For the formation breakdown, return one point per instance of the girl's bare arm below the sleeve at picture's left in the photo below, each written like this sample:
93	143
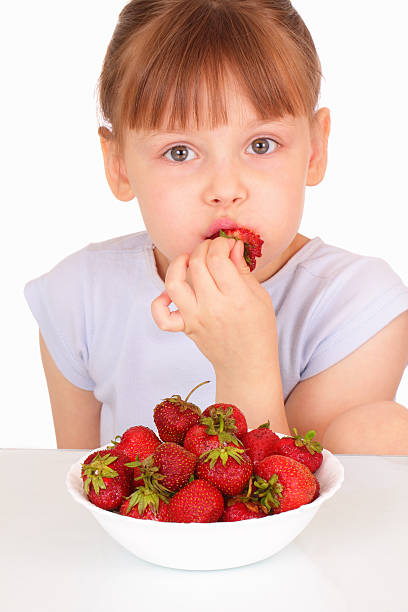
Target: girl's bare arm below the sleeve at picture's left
75	411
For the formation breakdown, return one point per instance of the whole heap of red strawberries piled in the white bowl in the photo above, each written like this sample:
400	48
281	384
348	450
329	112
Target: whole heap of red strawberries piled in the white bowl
205	468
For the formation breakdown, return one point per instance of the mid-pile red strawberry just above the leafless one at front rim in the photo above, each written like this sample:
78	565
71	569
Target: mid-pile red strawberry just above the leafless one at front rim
175	463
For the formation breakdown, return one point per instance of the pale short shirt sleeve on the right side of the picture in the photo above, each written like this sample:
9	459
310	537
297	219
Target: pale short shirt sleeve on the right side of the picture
358	302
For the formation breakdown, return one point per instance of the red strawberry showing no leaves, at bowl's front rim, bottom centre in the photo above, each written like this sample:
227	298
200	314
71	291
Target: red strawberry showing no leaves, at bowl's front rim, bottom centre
198	502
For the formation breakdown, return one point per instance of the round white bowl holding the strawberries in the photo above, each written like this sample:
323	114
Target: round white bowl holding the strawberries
209	546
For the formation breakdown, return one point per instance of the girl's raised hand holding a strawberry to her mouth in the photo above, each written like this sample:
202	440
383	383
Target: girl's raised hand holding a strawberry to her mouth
225	311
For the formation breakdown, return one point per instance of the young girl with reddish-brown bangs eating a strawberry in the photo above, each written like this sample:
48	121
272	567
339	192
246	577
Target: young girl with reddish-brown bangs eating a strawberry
210	120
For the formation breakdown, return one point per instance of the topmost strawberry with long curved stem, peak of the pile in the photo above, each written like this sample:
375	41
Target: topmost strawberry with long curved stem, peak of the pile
174	417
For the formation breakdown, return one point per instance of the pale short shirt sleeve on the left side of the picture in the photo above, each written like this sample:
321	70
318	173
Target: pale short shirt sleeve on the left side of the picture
58	302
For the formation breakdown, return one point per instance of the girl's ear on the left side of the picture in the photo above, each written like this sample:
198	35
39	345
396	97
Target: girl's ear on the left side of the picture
115	169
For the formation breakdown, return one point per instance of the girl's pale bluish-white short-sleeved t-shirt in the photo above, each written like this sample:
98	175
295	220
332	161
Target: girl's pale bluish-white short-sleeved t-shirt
93	310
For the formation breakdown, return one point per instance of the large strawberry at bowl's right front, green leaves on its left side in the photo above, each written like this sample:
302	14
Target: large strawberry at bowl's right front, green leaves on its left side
282	483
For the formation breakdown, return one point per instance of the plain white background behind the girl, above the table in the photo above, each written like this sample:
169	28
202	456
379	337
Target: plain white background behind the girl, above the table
55	198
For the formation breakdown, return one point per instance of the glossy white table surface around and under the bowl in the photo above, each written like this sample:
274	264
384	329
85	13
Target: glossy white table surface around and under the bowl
56	557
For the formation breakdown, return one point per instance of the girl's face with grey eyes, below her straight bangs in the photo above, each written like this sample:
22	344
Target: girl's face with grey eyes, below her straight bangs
252	174
